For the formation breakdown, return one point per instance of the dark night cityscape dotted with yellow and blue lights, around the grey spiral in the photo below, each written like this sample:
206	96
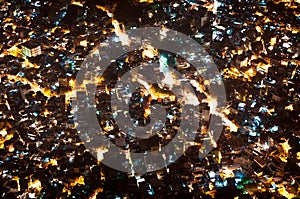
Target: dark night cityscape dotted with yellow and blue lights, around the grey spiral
255	46
